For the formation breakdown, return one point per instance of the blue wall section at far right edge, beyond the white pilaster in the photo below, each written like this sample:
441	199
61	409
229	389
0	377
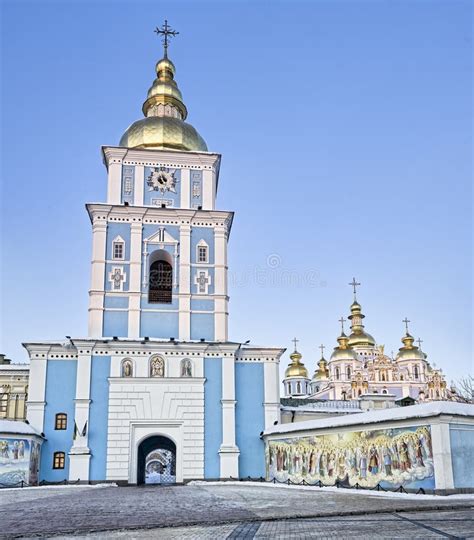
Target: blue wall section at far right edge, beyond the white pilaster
462	455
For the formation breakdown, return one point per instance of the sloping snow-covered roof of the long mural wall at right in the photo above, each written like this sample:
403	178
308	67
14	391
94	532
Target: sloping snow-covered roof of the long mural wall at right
424	410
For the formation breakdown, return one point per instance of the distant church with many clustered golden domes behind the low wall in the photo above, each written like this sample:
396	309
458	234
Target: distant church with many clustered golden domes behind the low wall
359	367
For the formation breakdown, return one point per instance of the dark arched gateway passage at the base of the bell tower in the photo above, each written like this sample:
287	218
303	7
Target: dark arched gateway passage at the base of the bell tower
156	461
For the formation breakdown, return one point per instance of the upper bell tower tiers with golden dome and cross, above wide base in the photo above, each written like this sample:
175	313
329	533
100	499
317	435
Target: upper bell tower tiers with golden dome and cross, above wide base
159	255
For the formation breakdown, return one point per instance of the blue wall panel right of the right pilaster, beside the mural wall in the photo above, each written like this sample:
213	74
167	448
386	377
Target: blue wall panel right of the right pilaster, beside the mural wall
250	418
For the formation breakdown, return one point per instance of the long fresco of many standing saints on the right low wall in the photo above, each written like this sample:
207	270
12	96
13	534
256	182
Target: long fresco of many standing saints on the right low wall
391	457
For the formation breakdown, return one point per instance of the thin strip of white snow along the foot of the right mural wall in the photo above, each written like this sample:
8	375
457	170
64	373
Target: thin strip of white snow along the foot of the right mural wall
364	492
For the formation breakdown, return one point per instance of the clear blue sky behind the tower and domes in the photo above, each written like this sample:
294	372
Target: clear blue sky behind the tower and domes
345	130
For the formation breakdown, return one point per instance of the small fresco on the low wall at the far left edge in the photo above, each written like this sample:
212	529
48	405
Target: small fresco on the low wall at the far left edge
19	461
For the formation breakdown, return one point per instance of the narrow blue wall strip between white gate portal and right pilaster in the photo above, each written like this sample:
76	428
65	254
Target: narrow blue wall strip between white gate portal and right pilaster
212	416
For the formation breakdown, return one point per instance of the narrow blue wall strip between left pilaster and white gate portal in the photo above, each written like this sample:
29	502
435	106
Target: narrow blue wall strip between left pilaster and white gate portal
98	416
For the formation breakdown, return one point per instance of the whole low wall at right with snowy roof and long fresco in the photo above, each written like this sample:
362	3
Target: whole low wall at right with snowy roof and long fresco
428	446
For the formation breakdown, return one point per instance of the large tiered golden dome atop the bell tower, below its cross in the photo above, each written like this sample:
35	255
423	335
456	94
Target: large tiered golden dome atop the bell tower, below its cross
165	112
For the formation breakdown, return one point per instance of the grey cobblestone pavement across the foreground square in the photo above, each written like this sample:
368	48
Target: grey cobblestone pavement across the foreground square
221	512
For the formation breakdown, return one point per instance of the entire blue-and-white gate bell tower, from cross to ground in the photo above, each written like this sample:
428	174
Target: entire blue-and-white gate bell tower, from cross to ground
156	392
